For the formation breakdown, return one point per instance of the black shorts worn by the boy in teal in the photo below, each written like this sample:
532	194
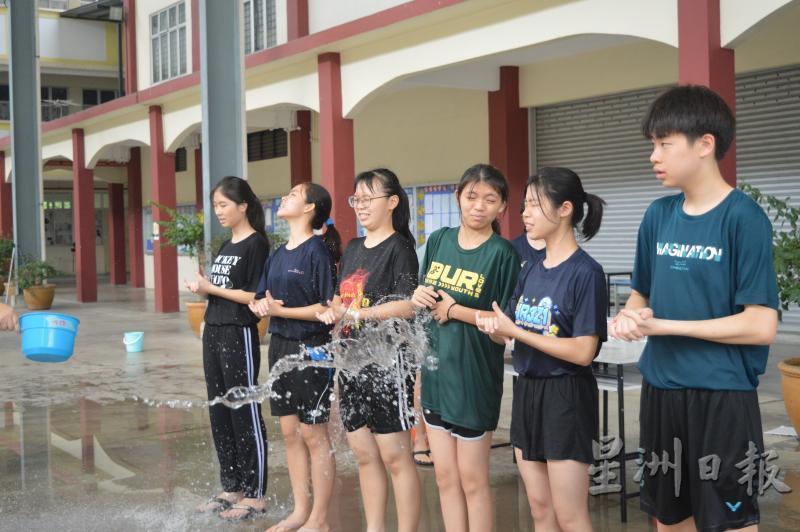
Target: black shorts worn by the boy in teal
718	435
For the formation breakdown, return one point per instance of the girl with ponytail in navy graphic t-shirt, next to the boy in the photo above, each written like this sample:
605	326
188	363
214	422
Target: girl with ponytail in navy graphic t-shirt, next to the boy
557	319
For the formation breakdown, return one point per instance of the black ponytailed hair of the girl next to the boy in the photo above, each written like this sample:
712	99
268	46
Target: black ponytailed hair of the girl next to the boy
560	185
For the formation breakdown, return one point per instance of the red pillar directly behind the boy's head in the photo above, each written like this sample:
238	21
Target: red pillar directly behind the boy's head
703	61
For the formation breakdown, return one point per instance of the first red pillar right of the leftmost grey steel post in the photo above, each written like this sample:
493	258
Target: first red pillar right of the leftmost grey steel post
83	225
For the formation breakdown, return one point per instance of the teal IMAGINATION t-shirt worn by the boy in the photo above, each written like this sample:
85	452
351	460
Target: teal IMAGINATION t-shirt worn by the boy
700	268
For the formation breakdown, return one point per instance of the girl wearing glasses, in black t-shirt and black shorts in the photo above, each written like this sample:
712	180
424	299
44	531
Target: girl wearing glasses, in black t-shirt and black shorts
376	405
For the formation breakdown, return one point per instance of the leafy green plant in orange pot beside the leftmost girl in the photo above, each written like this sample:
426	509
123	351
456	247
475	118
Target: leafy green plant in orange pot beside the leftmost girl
185	232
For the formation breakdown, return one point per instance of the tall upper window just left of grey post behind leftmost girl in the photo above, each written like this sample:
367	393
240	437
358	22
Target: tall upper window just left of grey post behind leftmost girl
168	42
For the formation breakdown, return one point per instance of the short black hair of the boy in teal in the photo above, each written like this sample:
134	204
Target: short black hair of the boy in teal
693	110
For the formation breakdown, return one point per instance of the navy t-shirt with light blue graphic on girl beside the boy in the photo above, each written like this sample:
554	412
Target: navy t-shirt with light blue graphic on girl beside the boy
566	301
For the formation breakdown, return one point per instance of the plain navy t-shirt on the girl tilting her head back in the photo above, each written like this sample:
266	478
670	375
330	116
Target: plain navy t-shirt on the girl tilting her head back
300	277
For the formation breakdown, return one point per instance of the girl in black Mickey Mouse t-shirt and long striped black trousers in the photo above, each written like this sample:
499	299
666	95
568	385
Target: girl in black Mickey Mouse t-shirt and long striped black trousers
231	354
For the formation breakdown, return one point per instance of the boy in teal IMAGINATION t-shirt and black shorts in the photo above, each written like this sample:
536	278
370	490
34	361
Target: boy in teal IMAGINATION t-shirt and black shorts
705	296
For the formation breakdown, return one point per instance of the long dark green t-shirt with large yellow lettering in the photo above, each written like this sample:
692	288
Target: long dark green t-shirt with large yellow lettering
467	386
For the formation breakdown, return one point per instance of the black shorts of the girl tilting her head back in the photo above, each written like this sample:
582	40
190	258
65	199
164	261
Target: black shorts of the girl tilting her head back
305	393
